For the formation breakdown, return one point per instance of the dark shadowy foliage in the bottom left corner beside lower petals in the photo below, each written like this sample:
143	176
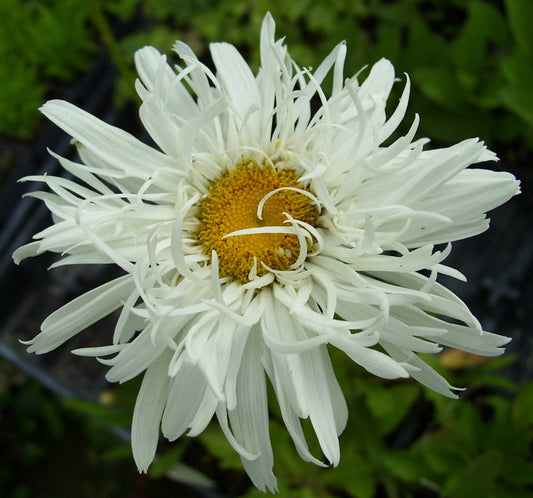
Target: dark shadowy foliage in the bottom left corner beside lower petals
51	446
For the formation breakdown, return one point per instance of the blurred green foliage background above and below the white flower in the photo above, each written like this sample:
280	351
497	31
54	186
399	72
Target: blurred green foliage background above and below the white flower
471	66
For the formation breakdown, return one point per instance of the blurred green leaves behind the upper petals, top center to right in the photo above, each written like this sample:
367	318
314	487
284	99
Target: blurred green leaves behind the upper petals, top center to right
469	62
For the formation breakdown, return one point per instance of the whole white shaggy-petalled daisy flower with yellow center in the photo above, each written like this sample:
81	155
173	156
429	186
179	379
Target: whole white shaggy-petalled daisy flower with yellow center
258	234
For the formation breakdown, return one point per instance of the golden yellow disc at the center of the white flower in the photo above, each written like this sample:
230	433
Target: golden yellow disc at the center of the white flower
232	204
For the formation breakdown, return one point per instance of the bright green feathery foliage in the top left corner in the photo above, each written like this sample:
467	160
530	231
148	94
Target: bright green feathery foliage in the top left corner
40	42
